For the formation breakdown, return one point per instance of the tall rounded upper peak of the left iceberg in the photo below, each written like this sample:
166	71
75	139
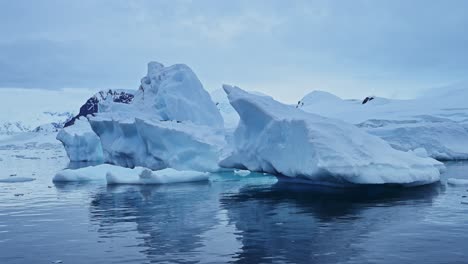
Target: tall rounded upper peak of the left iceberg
175	93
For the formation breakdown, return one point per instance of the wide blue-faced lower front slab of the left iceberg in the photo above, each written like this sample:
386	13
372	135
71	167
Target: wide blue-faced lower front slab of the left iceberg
156	144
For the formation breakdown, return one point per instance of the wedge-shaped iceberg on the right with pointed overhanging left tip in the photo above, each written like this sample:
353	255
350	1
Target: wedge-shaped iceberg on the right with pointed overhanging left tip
283	140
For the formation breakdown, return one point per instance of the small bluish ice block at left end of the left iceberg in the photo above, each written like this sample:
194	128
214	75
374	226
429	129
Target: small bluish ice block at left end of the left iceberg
80	142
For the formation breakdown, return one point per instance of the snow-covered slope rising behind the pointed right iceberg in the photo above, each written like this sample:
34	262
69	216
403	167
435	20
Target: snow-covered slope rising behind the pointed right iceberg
437	122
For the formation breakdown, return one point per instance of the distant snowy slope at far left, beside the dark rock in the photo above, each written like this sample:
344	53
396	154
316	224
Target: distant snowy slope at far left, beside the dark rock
26	110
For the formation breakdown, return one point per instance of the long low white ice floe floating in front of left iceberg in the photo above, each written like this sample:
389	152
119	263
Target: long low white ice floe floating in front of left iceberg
120	175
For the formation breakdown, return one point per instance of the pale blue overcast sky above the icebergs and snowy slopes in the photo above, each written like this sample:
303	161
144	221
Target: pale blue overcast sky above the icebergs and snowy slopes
389	48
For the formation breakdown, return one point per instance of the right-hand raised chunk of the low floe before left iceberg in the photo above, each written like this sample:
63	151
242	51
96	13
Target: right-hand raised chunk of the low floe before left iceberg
147	176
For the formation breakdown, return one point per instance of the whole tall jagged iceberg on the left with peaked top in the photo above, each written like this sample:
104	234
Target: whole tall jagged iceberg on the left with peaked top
170	121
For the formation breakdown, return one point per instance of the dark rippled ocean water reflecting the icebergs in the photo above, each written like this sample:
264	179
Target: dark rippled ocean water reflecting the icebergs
250	219
